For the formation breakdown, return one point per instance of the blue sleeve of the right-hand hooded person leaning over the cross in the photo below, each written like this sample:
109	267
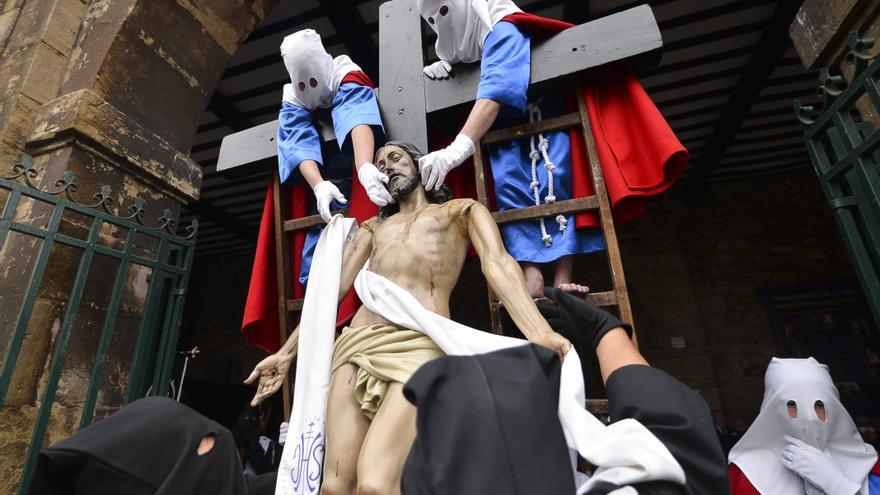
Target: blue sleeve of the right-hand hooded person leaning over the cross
505	67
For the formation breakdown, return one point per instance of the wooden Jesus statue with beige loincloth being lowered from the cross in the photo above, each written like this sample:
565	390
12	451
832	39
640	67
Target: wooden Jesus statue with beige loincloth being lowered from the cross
420	243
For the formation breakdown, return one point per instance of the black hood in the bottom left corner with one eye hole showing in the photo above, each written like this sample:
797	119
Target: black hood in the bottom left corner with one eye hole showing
148	447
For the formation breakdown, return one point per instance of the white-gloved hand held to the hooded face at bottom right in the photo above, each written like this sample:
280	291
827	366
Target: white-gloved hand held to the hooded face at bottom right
817	467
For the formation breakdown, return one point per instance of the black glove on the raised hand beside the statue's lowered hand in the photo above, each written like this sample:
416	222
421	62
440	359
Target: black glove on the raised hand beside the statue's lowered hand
578	320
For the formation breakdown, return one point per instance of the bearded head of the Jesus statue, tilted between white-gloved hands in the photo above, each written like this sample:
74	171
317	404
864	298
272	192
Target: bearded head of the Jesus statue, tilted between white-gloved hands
400	162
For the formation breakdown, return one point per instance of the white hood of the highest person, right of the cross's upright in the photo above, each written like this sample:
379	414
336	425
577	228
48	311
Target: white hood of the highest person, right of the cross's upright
465	25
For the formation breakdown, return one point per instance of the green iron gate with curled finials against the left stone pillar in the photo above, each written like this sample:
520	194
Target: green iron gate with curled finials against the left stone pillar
157	253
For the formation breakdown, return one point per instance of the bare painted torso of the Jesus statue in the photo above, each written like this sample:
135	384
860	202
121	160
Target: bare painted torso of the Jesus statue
422	252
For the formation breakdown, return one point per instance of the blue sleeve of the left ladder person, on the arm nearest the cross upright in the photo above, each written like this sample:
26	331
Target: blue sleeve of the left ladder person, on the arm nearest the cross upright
355	105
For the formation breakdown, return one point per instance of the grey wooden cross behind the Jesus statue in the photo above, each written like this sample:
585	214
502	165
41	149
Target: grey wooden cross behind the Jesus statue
406	96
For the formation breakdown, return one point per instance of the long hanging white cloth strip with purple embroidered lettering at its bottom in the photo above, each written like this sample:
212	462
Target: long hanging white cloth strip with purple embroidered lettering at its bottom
303	457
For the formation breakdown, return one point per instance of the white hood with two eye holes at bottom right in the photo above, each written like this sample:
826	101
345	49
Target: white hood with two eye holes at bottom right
758	452
